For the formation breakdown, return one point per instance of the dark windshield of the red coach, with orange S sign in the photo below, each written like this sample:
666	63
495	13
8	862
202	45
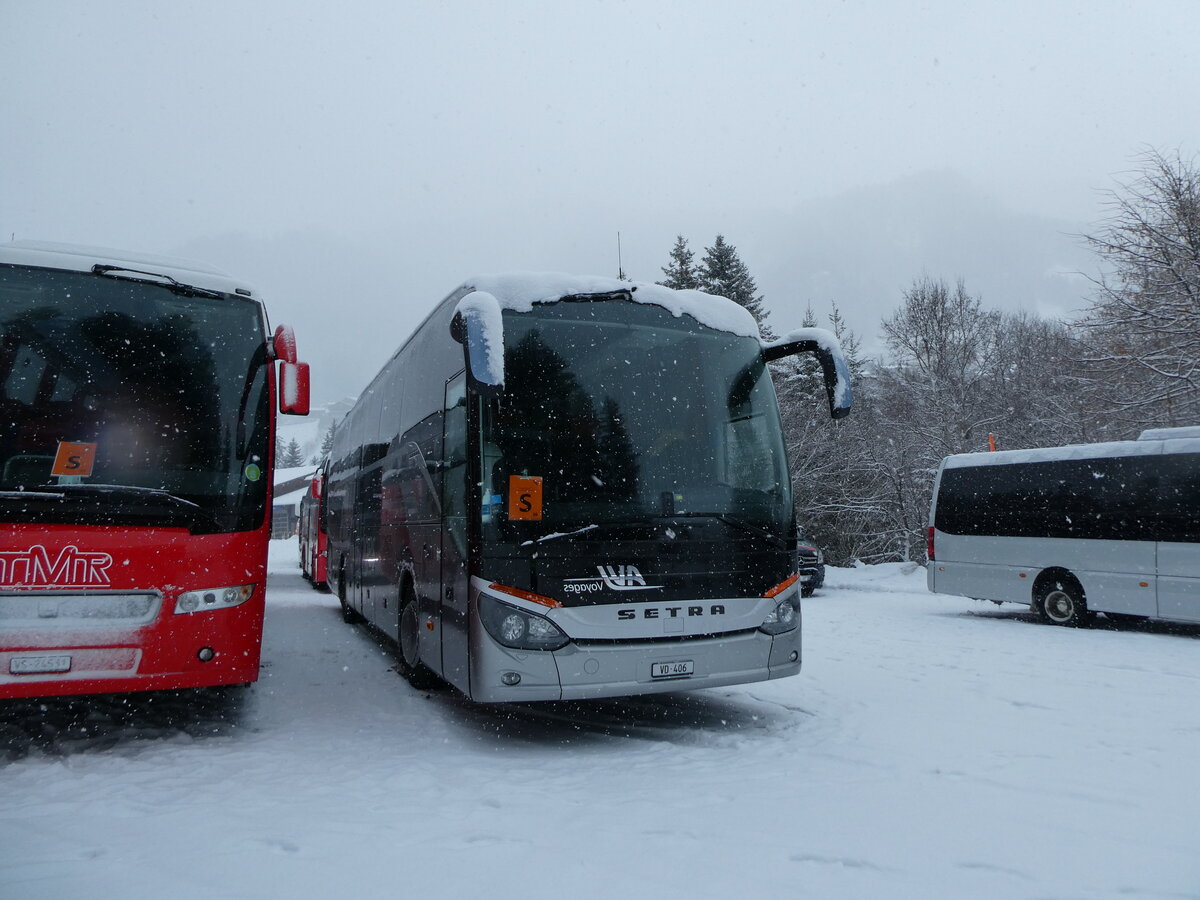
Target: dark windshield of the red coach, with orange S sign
158	394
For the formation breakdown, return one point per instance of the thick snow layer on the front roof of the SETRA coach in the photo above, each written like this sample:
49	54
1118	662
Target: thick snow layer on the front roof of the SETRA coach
520	291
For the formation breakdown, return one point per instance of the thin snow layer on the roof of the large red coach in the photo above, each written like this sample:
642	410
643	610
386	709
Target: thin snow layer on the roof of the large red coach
81	259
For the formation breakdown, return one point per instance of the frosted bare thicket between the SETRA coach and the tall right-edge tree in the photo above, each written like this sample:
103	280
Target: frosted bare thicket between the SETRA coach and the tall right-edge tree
955	373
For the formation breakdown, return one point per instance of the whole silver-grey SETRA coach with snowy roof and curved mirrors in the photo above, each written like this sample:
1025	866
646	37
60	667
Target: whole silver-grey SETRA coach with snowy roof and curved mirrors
567	488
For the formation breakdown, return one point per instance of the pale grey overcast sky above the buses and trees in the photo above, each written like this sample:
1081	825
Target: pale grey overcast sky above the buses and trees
380	153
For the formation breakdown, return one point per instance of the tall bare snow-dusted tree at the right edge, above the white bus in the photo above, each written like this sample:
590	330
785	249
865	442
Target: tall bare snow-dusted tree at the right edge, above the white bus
1144	325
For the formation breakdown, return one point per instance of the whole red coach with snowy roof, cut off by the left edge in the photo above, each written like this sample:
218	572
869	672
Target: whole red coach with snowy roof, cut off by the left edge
137	422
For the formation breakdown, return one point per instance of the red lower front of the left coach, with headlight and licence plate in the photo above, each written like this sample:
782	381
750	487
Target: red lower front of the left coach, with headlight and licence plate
91	611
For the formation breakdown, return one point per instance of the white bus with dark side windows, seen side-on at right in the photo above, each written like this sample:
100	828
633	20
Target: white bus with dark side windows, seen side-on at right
1112	529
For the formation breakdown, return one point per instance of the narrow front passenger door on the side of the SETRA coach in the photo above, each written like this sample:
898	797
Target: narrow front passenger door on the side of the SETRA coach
455	494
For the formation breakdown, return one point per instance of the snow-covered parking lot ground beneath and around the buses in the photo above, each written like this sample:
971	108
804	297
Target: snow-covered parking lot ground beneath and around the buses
933	747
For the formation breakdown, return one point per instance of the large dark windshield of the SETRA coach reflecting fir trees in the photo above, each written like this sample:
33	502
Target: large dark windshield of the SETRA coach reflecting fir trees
631	415
